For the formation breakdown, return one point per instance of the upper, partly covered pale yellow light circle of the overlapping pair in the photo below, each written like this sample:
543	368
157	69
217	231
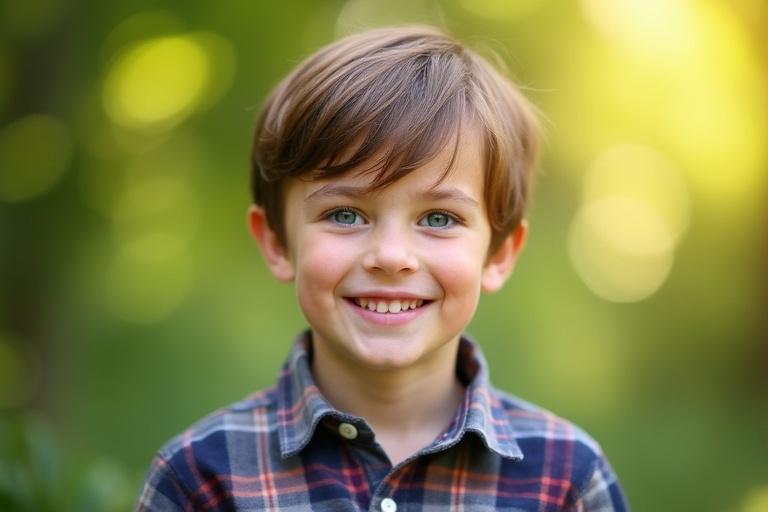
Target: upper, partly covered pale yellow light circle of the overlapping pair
645	175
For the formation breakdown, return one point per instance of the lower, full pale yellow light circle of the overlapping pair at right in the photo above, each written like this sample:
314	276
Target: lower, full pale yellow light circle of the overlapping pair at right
621	248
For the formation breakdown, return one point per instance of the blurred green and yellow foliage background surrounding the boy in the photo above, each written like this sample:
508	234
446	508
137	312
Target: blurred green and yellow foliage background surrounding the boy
132	301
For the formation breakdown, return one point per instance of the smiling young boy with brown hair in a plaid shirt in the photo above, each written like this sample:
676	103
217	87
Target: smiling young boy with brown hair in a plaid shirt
390	177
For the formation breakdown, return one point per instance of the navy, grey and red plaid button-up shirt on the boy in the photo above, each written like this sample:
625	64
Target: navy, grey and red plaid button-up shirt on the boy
288	449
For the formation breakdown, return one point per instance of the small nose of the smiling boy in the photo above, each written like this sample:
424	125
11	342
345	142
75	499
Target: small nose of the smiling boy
391	252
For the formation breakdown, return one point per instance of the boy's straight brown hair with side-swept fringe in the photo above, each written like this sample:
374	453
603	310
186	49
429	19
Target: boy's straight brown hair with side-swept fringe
390	99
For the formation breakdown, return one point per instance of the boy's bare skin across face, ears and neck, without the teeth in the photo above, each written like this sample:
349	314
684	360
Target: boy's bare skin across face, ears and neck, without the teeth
415	239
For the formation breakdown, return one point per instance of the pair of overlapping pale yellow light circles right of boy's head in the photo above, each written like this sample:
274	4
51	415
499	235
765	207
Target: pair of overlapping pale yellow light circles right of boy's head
636	208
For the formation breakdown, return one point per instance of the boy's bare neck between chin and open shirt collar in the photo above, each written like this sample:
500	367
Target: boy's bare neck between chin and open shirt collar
406	407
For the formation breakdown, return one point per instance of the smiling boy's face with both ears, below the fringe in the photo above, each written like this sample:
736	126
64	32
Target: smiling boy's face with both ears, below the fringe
390	279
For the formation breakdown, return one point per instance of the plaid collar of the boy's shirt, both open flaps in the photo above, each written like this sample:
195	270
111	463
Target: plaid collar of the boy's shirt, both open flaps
301	406
